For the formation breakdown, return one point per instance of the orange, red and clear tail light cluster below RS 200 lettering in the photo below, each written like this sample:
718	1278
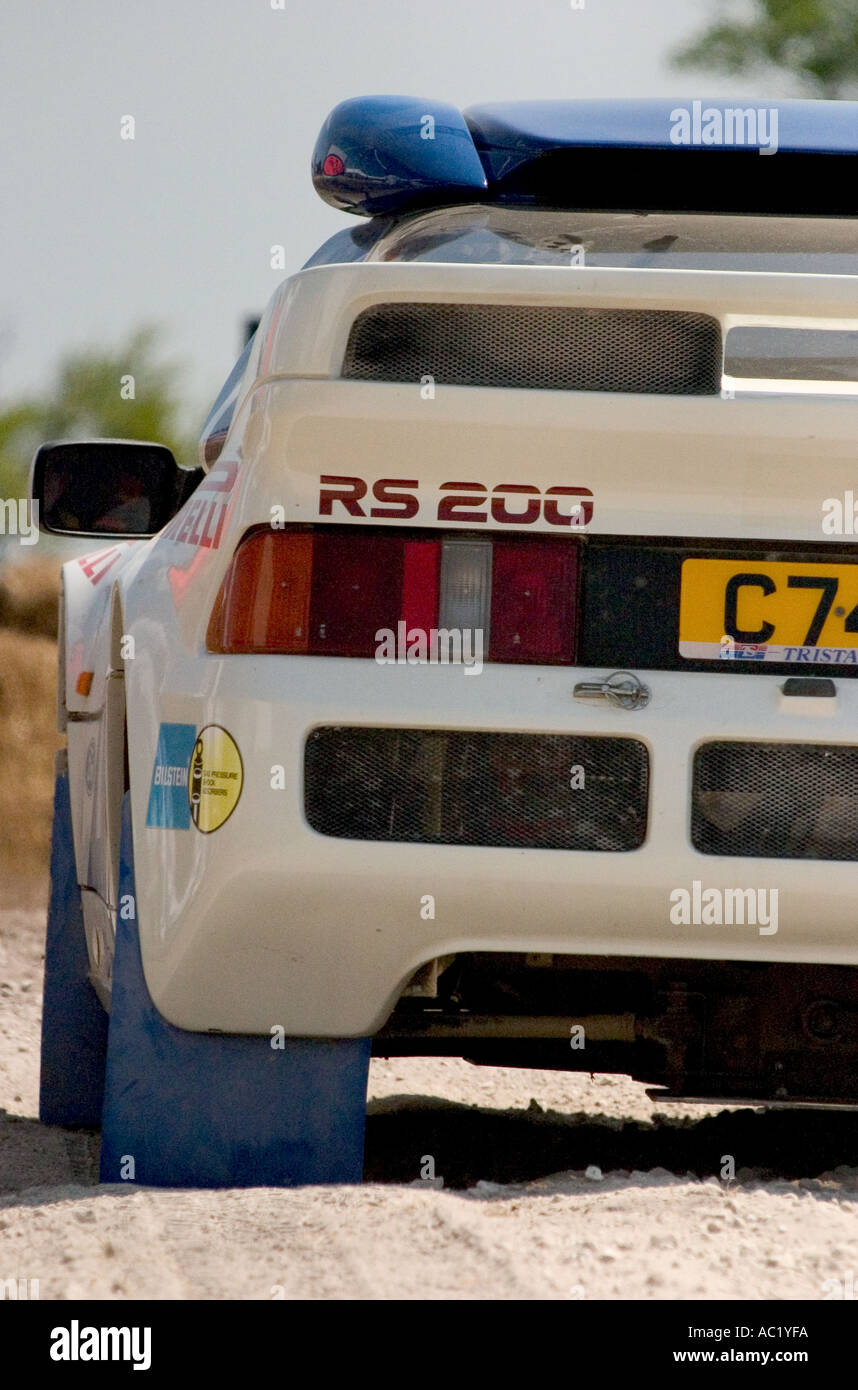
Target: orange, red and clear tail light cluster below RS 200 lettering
333	591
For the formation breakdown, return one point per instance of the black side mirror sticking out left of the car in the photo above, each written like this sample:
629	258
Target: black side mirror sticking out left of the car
109	487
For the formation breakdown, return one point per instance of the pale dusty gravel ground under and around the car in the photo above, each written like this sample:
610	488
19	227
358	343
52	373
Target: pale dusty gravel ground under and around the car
554	1188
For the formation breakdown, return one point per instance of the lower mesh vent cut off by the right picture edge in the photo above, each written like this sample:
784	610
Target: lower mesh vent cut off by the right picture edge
777	801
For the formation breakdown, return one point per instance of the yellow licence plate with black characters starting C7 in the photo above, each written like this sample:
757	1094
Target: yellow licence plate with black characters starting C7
760	611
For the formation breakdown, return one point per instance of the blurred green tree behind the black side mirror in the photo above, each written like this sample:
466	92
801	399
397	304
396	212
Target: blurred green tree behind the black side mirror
92	397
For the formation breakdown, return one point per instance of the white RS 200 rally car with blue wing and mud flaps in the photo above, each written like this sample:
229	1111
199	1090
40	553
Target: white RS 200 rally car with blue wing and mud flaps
490	687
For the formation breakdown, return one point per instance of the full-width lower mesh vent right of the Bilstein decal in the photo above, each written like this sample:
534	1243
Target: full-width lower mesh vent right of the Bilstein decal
462	789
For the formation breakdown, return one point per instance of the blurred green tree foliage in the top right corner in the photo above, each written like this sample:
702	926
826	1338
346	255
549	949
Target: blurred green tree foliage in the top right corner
817	41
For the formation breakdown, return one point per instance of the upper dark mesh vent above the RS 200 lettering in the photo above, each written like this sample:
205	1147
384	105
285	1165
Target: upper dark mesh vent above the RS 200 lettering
553	348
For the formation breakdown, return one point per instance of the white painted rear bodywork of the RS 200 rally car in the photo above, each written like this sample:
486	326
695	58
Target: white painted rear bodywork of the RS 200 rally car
265	922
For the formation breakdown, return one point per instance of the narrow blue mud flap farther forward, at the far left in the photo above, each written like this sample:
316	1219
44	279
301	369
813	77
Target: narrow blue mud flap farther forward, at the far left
74	1025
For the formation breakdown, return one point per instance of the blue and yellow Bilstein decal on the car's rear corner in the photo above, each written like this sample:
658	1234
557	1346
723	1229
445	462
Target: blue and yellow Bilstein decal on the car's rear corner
197	779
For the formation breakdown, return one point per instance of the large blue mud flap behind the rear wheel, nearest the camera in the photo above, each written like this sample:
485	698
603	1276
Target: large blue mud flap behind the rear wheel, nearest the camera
201	1110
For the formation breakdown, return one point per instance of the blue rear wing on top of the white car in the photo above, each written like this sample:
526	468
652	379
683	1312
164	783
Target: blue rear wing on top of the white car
391	155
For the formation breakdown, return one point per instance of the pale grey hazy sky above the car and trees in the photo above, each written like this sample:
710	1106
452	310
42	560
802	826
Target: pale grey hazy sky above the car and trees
175	229
